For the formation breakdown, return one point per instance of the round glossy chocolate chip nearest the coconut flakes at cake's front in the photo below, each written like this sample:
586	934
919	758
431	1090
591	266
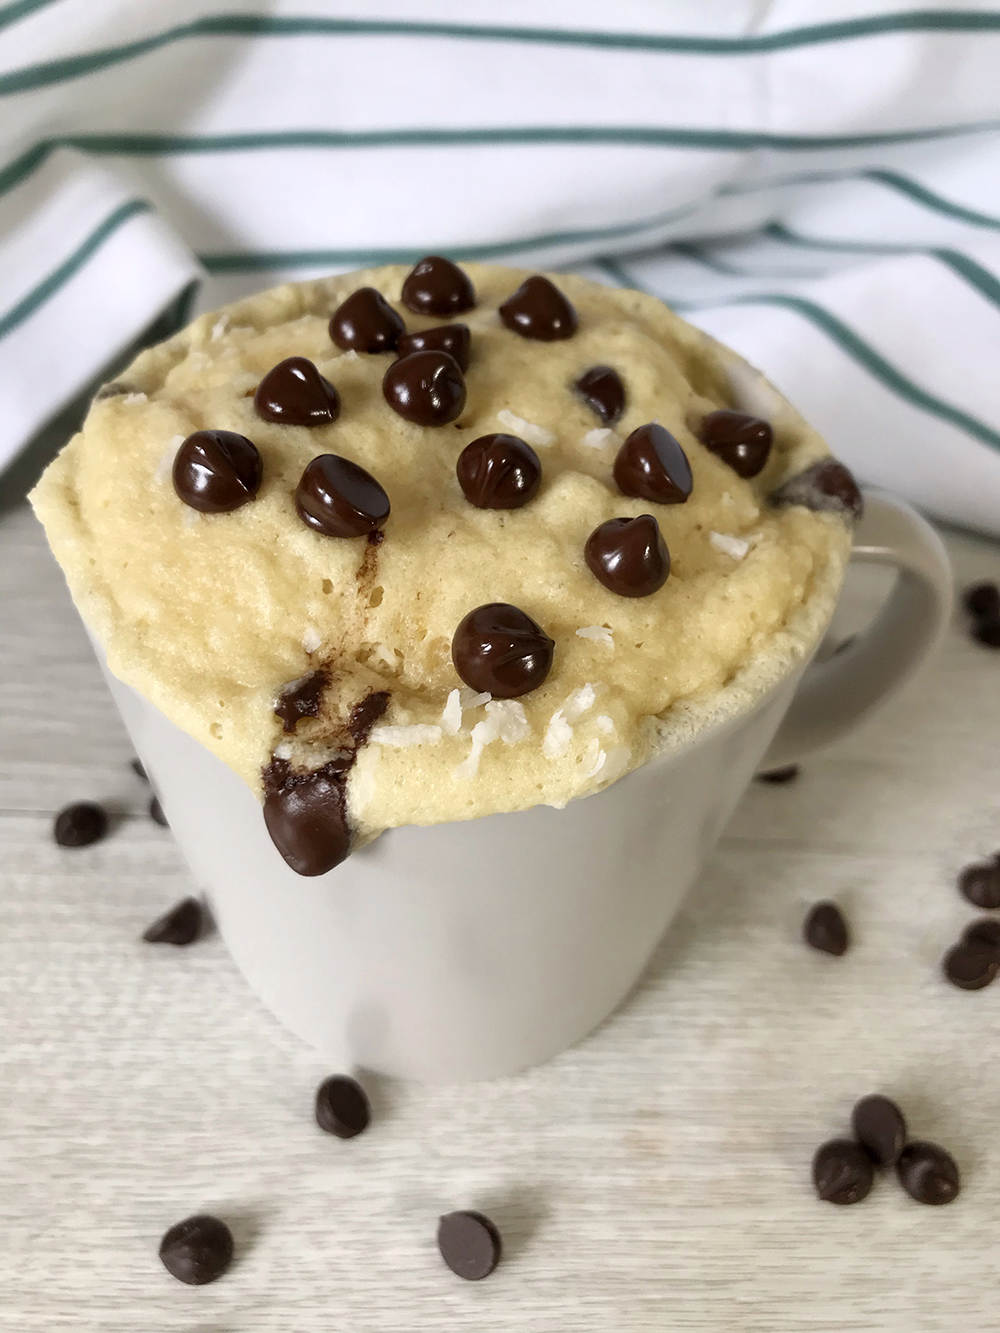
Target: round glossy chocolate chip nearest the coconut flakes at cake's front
502	651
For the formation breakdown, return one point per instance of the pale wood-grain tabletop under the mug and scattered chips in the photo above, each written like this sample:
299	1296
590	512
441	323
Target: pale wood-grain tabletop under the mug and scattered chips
654	1179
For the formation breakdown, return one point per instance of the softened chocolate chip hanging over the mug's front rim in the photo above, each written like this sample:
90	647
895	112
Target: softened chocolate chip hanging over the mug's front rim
306	816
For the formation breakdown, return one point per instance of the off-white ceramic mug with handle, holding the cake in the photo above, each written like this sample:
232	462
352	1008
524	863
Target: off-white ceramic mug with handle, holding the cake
471	950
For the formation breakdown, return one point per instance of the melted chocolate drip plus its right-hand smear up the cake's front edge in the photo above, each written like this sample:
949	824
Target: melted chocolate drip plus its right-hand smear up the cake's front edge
306	812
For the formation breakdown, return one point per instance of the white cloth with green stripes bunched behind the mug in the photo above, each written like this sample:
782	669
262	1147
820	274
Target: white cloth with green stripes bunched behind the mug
814	182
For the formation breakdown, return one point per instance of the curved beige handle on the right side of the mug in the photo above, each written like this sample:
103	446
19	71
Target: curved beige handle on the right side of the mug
841	692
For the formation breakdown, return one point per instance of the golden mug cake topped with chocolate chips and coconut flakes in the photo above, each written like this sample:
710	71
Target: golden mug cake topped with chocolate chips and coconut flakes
305	598
